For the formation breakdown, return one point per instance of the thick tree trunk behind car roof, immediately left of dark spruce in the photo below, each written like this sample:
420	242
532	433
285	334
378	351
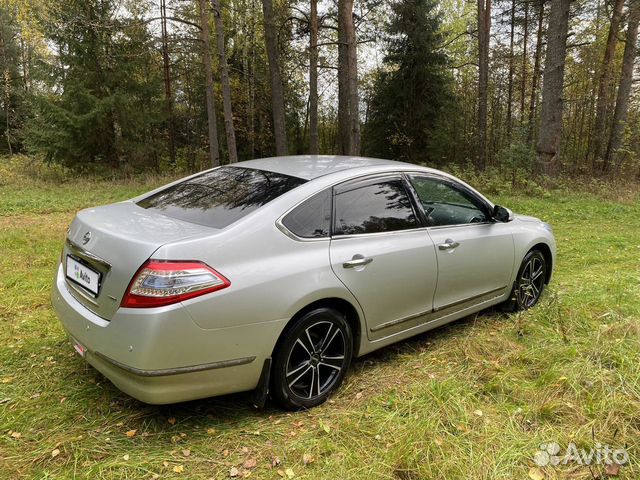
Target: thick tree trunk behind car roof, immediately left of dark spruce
348	97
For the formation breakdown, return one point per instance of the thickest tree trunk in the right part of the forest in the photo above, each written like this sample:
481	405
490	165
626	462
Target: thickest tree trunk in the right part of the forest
550	130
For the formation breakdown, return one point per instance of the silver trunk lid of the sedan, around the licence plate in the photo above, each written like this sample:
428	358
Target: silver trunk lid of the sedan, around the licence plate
114	241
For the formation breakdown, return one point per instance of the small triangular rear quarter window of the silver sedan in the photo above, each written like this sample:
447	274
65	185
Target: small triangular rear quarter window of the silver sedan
311	219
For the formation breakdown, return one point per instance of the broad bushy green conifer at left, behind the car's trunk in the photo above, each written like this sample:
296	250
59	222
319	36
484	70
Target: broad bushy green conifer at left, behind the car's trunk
110	109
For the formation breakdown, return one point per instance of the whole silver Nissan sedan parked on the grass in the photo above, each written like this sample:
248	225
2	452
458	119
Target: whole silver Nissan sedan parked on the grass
271	275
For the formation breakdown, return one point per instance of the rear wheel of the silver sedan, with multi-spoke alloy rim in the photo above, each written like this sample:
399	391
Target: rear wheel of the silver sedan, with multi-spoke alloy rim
311	359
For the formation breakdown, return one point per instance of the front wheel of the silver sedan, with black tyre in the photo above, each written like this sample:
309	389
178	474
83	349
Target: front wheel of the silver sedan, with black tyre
529	283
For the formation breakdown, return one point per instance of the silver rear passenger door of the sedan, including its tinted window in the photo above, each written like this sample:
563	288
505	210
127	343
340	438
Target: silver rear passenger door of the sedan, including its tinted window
382	253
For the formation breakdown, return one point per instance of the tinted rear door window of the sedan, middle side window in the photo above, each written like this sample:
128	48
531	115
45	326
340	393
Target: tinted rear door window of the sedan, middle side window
370	207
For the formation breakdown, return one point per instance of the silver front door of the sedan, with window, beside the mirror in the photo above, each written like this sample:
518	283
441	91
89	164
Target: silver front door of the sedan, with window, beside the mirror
475	254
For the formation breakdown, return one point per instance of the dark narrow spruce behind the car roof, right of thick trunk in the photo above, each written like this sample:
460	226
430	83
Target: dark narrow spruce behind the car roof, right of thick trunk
412	88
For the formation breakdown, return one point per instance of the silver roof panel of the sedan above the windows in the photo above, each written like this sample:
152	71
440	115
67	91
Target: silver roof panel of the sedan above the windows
309	167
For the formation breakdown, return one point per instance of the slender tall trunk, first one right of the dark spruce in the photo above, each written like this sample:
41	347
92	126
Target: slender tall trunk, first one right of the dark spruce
484	29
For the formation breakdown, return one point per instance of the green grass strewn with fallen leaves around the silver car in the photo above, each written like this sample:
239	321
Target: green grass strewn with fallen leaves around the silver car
472	400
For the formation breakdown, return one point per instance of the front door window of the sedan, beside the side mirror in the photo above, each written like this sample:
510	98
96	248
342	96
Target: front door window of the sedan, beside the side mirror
444	204
